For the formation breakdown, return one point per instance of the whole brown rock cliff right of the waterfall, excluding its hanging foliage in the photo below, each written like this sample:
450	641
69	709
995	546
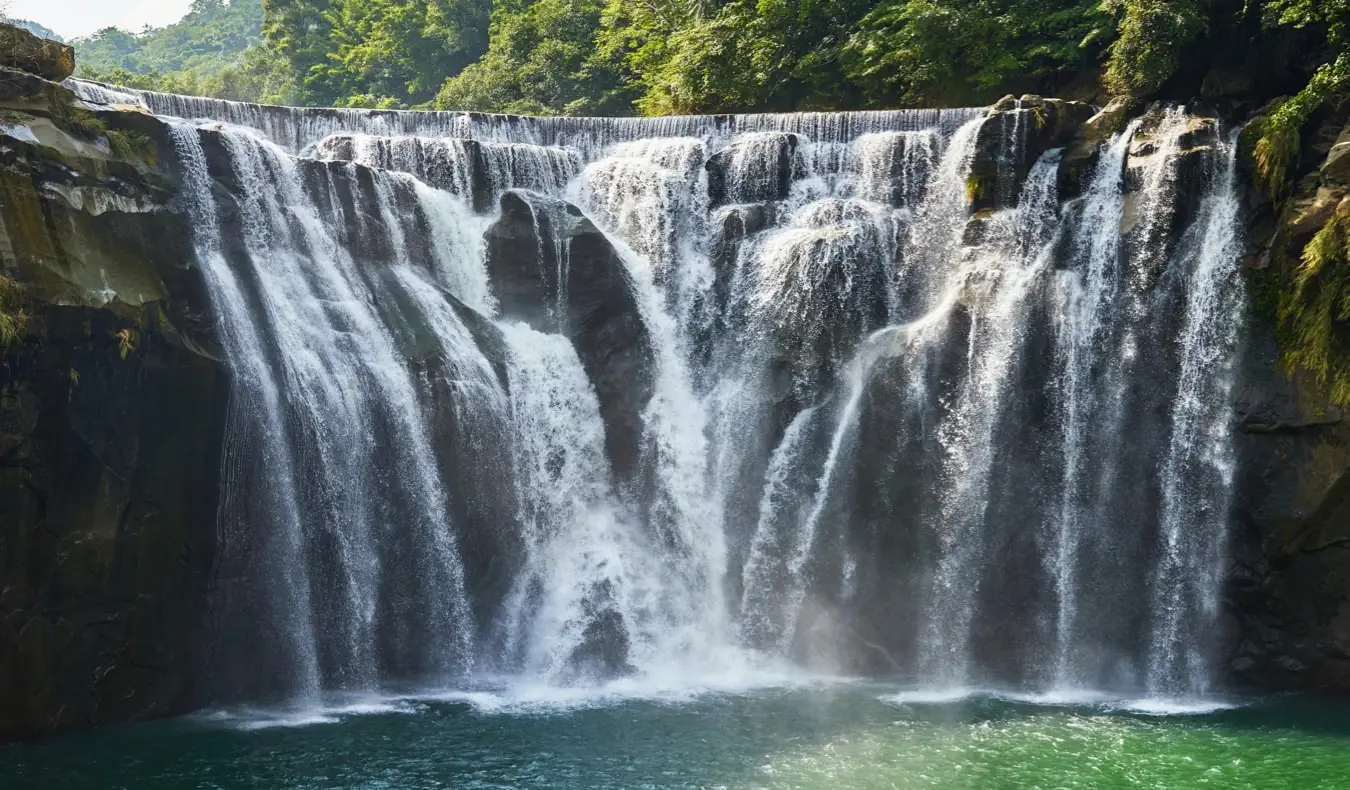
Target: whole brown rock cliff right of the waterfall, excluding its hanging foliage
1290	595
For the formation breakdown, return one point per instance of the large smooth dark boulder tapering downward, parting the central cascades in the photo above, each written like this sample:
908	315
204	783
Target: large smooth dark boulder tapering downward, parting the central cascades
556	271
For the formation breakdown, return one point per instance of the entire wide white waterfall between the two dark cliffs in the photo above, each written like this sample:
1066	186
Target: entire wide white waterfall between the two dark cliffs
870	430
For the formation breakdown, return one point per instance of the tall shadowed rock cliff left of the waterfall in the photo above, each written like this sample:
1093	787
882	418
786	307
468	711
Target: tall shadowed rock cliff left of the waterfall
111	415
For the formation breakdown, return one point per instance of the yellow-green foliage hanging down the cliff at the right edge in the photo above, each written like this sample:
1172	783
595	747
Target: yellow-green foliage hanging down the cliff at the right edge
1316	314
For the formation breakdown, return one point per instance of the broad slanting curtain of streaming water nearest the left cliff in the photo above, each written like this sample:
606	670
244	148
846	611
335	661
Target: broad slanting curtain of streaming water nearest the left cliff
311	350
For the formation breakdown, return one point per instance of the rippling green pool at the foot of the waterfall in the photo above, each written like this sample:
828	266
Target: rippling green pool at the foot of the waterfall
834	737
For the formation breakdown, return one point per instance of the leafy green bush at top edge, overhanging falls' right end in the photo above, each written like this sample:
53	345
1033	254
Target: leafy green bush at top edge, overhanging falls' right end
1152	36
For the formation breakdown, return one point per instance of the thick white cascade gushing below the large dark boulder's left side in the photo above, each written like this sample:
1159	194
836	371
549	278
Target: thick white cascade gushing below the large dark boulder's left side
588	565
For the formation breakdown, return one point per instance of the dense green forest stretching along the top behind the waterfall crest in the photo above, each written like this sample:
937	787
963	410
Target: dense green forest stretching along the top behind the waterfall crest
620	57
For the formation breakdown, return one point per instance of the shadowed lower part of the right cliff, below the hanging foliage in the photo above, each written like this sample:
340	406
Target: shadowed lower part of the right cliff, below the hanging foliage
1287	592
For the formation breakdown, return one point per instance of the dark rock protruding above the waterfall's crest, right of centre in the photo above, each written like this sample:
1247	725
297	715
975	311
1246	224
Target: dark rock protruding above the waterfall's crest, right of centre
1017	133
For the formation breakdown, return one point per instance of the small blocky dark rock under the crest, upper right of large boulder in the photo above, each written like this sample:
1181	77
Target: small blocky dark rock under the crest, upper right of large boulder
754	169
